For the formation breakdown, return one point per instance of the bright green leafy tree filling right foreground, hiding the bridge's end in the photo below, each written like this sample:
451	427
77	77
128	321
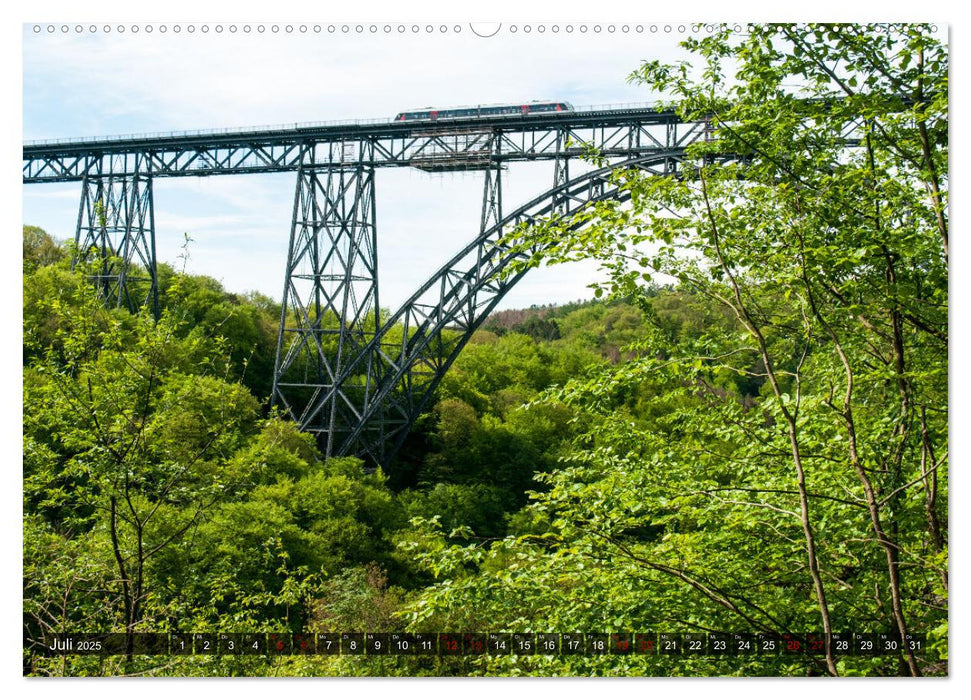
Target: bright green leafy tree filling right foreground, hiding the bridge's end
816	220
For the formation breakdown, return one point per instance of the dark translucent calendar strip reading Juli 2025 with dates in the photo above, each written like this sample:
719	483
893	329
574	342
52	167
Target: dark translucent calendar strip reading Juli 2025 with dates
713	644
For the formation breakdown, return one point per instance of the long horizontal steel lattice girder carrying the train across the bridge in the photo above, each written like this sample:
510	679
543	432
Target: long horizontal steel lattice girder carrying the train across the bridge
434	146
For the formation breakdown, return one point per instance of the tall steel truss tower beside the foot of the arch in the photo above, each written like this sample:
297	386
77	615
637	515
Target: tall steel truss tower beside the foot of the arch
330	299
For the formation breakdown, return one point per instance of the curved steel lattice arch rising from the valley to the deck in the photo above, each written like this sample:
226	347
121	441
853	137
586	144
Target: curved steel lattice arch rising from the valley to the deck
404	362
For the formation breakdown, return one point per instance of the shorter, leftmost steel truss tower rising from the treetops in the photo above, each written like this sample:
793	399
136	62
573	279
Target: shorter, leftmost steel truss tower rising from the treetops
116	227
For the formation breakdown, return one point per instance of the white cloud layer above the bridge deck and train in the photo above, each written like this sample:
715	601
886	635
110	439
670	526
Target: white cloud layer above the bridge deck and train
160	82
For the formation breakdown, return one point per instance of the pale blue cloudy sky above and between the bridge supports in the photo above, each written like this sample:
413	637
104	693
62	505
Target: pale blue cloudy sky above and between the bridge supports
97	83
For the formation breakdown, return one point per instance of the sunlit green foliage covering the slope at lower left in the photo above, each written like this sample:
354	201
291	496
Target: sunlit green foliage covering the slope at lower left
156	498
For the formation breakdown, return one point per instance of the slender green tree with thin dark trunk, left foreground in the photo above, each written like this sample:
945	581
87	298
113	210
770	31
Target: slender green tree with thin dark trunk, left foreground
127	425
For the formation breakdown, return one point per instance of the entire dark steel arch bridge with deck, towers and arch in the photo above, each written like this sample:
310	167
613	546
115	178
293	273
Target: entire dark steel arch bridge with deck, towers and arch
342	371
